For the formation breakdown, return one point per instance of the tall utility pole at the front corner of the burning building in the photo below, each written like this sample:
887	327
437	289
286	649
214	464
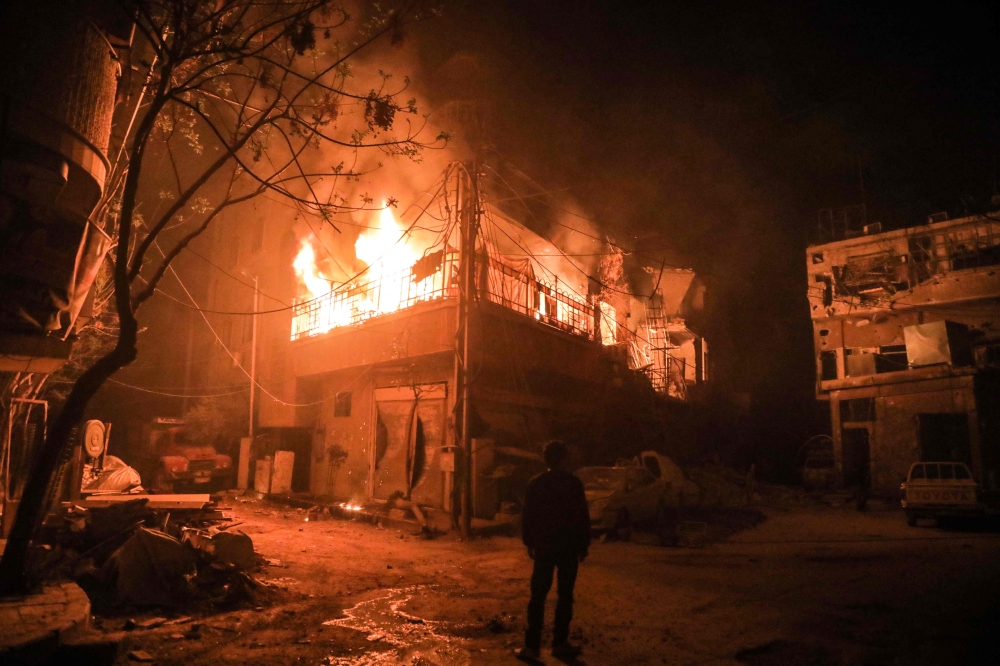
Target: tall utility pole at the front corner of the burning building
469	221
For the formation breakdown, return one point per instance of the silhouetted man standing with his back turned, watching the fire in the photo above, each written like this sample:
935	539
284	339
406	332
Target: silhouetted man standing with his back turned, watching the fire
555	527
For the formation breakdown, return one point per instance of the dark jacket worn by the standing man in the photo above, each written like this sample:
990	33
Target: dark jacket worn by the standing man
555	520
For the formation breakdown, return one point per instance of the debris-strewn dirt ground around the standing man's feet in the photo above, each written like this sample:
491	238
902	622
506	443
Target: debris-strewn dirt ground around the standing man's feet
810	585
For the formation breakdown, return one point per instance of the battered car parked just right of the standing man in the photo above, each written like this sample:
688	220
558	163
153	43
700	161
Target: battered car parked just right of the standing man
622	496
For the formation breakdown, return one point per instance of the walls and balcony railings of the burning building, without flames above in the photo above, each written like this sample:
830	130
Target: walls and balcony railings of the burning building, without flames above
361	381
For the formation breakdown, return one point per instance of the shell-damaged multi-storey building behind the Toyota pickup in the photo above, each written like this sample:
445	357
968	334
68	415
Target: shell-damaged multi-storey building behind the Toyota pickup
906	326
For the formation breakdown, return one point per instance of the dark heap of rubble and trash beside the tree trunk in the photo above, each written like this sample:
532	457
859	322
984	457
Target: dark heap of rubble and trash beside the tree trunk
131	554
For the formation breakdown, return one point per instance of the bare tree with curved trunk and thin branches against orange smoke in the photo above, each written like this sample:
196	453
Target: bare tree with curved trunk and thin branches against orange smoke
242	97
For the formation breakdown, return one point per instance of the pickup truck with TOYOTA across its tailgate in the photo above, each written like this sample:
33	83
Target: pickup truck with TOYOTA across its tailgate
939	490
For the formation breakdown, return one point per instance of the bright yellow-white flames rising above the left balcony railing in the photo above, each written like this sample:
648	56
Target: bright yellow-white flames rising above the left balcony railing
387	284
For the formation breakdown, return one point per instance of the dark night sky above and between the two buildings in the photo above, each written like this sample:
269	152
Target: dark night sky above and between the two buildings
723	129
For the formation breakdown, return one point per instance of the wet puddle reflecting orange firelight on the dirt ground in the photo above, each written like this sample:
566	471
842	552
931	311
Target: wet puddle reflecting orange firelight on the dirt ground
411	640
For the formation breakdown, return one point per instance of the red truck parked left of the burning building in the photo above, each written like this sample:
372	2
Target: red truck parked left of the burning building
182	464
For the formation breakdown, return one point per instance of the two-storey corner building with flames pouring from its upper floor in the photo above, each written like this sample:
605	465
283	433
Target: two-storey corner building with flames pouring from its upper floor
363	362
